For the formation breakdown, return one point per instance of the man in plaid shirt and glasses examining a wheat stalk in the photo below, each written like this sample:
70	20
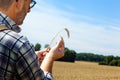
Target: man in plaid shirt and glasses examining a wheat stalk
18	60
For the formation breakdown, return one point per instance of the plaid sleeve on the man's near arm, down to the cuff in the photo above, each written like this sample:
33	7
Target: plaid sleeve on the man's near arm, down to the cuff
28	67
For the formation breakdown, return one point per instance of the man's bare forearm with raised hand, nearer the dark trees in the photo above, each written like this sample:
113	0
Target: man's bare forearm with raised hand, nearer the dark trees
55	53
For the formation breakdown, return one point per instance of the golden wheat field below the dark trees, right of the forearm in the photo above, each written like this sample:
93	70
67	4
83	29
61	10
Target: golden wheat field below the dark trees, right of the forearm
84	71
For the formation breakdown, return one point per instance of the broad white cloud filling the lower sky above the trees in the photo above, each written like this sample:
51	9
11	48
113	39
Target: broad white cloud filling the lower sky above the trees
43	23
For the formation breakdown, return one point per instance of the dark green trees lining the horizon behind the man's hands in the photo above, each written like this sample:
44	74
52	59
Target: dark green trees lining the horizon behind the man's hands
72	56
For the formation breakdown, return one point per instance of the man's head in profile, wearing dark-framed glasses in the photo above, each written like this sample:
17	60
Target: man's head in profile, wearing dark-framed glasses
16	9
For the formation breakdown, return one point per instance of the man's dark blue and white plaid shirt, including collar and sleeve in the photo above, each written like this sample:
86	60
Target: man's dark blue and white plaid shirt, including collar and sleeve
18	60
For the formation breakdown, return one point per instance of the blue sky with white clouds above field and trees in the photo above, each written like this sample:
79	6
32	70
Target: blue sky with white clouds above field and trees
94	25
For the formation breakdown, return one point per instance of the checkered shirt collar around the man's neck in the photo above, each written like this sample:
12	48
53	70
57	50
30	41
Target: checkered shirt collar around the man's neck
9	23
